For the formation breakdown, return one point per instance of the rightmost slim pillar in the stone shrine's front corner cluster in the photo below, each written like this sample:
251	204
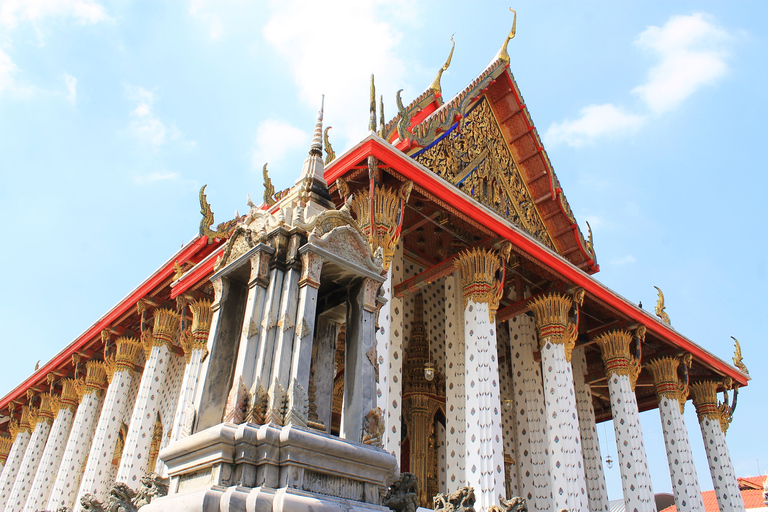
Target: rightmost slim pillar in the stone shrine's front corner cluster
301	357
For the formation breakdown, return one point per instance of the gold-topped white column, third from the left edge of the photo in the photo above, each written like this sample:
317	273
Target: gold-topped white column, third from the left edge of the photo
31	461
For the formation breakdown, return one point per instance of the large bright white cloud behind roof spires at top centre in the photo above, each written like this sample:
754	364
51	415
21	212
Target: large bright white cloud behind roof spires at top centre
317	39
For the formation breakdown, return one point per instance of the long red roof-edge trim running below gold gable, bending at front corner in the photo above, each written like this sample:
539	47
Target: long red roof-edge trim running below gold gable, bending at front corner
412	170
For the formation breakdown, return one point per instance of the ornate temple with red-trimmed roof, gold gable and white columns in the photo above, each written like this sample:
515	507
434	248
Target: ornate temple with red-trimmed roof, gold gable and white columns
414	323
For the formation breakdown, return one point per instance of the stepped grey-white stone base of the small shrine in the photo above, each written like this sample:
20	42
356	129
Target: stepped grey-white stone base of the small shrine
273	468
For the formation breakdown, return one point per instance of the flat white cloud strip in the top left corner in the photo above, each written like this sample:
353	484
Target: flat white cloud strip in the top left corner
84	11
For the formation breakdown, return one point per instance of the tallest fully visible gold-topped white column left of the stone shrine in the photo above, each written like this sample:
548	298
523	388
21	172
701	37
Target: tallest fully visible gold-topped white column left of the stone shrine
134	462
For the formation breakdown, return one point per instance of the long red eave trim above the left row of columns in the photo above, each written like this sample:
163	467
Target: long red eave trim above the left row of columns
192	249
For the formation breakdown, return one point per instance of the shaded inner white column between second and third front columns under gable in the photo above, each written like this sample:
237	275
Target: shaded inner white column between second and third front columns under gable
597	493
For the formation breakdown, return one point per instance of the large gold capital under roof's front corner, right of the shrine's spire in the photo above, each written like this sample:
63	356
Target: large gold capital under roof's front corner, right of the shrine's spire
383	208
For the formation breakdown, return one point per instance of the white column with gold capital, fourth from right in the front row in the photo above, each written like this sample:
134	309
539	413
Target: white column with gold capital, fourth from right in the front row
556	319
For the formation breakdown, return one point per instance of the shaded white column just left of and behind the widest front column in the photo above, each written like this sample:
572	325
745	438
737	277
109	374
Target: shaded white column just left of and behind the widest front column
455	401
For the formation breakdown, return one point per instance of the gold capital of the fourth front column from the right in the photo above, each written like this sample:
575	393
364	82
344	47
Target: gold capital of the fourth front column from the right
556	318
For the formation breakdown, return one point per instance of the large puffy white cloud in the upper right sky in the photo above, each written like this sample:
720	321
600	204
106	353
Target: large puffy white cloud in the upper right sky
691	53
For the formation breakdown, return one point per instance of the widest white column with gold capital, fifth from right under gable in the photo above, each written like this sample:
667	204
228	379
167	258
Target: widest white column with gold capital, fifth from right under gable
484	450
